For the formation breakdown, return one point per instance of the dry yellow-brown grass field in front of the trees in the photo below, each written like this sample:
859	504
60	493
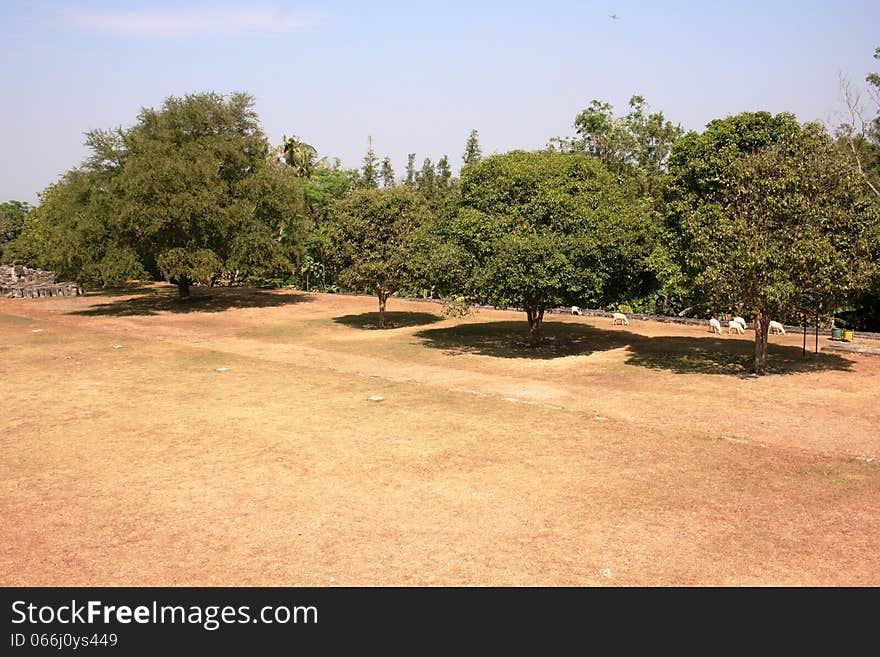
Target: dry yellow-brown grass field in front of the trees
231	440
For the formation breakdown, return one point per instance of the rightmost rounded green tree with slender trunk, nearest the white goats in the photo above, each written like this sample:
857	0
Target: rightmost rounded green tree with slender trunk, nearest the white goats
765	216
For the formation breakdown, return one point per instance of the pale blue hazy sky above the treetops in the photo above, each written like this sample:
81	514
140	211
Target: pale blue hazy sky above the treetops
415	76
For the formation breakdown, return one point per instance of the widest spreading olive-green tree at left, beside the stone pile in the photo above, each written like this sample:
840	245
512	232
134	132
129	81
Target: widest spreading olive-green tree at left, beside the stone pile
188	192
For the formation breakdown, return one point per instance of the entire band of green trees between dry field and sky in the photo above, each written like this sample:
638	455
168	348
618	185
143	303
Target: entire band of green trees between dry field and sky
758	215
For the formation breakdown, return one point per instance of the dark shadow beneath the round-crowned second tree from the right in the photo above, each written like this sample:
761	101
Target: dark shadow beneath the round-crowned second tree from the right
509	340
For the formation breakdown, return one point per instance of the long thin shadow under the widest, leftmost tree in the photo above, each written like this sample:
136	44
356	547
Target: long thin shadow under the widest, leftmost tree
201	300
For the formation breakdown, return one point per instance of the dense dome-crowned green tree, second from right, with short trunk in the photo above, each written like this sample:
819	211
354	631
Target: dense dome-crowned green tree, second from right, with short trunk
547	228
